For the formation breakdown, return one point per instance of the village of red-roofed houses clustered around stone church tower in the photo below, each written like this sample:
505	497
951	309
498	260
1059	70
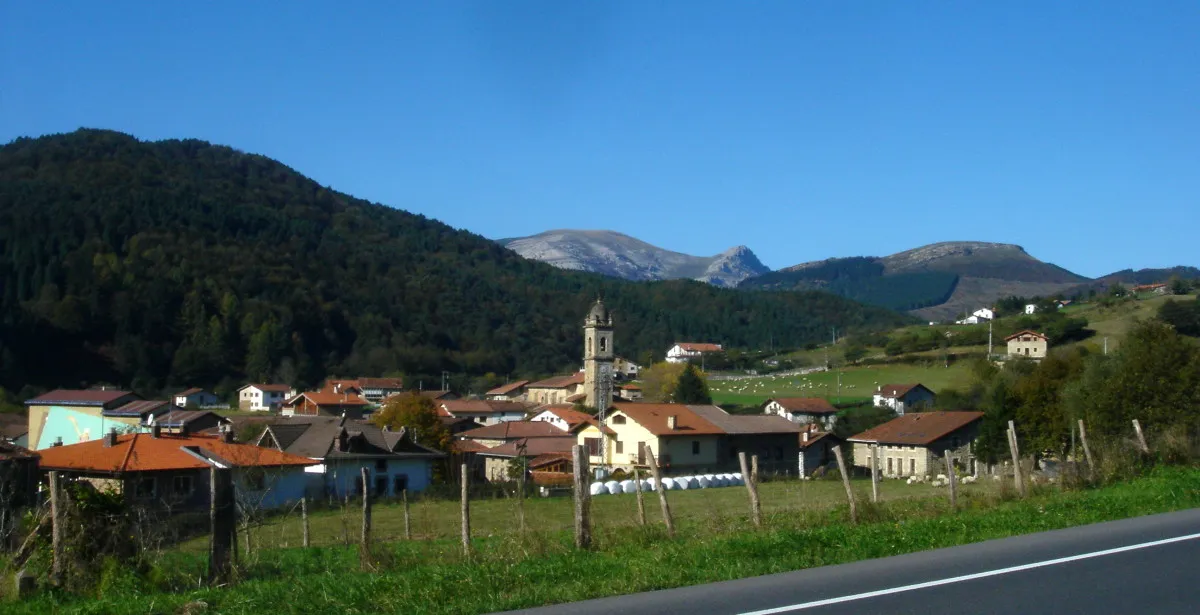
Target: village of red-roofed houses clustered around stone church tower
323	445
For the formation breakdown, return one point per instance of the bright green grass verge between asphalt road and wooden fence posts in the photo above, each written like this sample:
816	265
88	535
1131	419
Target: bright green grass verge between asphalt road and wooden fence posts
542	568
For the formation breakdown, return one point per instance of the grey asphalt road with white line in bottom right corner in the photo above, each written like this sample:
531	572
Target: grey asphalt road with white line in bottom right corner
1144	565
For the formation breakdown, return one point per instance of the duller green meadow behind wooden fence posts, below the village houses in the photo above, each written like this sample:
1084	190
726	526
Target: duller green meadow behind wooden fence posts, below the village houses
435	520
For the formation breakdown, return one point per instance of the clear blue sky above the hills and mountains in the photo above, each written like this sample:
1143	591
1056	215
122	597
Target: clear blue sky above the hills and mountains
801	129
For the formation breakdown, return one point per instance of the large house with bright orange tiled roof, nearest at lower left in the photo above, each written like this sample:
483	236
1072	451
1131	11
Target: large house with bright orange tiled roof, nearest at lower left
171	471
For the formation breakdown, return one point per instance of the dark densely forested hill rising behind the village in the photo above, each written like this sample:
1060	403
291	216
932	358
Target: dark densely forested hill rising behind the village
179	262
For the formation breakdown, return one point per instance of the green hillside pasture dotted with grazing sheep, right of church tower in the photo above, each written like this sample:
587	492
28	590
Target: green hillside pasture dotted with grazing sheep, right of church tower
857	384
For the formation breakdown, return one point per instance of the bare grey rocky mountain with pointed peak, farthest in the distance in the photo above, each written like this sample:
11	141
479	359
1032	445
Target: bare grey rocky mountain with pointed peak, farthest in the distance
619	255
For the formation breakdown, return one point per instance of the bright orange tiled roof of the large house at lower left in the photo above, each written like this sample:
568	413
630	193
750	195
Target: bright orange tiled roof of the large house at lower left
146	453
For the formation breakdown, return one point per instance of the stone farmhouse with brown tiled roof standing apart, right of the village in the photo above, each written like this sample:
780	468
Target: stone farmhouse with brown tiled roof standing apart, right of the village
916	445
